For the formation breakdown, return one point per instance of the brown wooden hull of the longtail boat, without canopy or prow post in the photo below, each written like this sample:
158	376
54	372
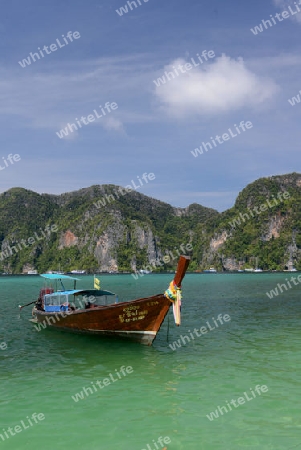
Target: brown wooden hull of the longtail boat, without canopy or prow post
138	320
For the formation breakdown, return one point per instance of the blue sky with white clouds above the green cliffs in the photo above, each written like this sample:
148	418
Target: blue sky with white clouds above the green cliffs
116	59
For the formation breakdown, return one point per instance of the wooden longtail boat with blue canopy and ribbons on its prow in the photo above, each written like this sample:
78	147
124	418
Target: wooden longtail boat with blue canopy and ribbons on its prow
138	320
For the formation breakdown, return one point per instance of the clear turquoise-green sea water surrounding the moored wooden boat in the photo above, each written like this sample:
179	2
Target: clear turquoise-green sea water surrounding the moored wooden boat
169	393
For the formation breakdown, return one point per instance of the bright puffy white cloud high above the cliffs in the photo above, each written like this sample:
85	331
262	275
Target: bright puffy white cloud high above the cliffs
222	86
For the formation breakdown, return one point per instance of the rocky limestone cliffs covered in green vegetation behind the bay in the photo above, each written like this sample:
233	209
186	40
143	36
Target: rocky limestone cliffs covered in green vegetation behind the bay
98	229
